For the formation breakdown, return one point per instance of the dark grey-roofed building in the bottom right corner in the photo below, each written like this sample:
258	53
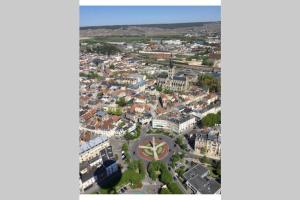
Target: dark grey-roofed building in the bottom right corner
197	180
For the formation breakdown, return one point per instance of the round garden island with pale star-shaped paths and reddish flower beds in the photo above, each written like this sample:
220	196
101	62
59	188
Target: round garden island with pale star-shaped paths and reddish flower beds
153	147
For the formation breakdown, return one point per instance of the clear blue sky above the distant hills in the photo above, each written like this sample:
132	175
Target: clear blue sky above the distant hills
127	15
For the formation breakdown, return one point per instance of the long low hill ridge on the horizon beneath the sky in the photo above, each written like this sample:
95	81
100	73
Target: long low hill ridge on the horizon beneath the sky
150	29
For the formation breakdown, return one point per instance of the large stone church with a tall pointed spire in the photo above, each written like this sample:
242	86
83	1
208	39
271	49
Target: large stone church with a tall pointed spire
173	82
